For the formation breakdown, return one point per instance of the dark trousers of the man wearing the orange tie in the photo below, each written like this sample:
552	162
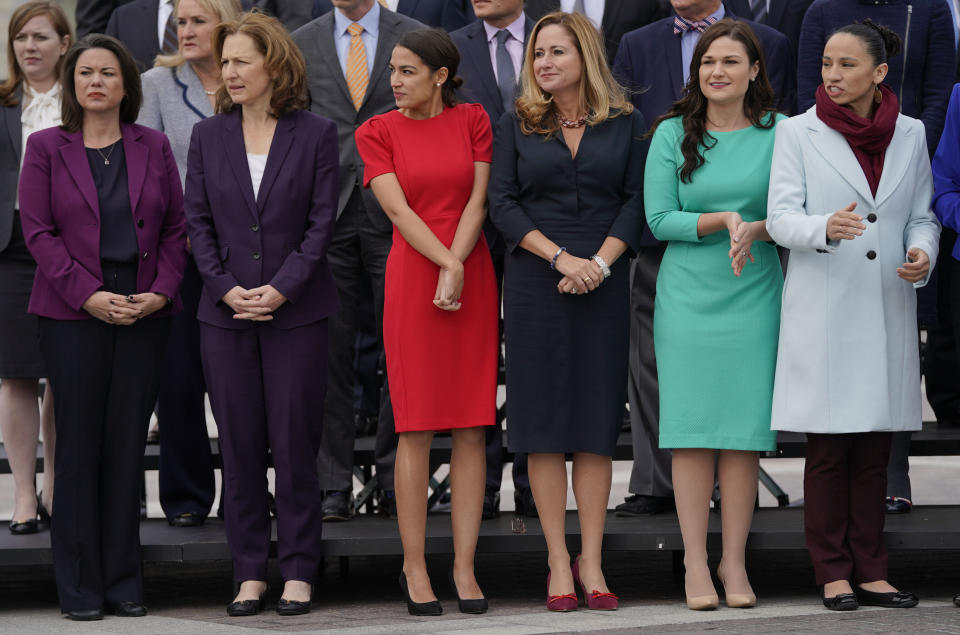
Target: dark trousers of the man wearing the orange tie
357	248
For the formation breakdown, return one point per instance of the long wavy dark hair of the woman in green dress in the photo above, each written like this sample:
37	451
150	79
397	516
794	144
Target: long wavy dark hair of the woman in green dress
759	103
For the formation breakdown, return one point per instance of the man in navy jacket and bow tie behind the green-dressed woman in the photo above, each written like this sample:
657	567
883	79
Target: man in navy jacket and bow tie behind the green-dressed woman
654	62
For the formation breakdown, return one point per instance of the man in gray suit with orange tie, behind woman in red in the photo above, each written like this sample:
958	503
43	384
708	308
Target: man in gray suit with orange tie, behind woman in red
363	233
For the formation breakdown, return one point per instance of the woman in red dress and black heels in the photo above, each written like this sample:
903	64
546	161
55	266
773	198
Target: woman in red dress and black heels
428	164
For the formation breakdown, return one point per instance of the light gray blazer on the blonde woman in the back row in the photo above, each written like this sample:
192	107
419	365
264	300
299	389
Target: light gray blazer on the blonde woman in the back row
173	101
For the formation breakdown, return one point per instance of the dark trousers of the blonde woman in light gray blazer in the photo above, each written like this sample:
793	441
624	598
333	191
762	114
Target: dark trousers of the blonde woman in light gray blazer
186	477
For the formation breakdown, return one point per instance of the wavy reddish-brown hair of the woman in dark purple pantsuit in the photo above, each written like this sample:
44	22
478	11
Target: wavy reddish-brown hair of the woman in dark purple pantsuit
283	61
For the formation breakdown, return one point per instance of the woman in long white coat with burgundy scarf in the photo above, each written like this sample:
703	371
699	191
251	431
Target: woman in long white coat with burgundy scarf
850	191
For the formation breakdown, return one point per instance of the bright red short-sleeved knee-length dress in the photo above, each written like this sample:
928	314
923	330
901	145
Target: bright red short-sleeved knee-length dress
441	365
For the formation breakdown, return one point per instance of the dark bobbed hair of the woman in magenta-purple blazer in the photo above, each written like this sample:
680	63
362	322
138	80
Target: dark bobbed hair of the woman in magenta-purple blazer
71	112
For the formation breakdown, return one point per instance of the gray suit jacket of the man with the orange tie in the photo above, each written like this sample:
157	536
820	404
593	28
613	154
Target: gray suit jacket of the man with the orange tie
330	96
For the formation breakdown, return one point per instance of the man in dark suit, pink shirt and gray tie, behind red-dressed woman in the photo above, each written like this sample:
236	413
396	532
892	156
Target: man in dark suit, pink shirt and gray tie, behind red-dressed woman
490	77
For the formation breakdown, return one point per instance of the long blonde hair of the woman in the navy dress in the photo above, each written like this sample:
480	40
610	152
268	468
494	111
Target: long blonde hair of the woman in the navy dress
601	97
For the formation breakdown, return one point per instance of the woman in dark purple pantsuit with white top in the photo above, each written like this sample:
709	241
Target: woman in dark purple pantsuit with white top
261	199
